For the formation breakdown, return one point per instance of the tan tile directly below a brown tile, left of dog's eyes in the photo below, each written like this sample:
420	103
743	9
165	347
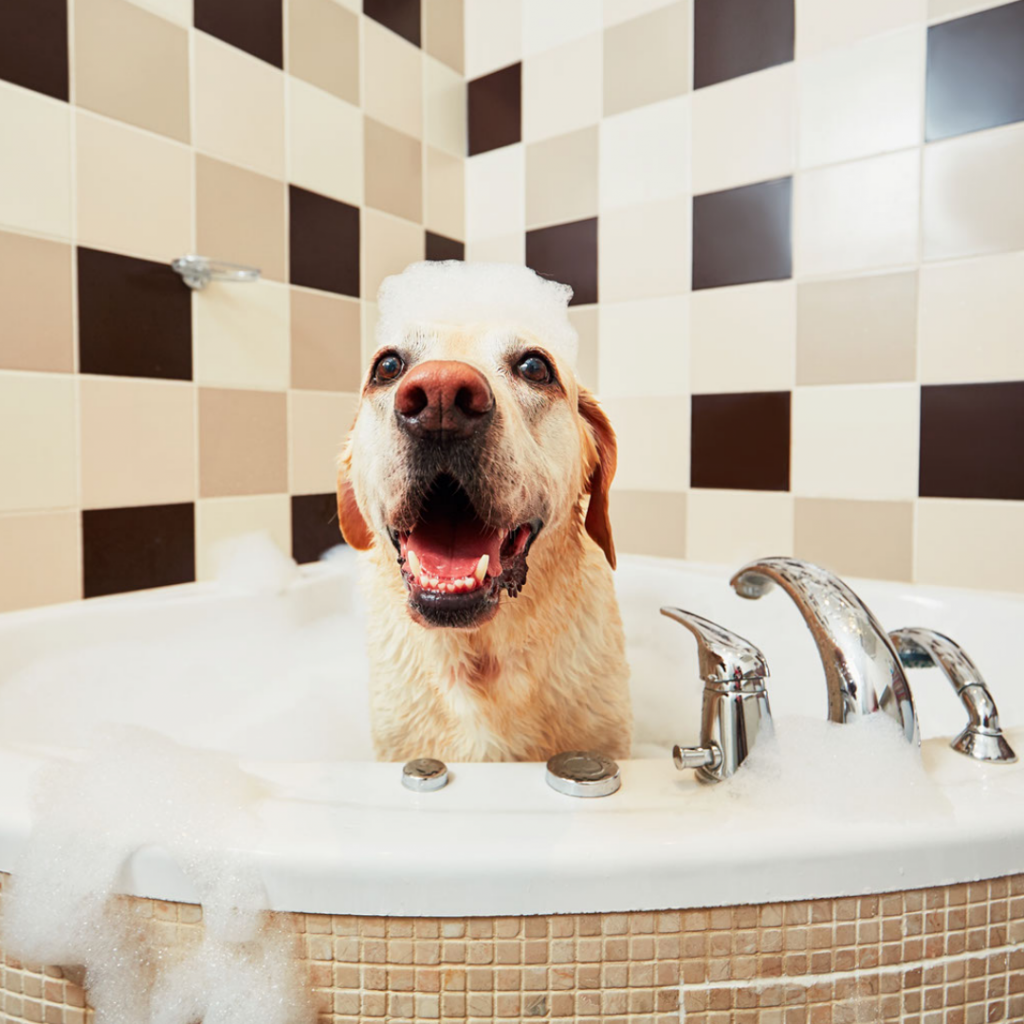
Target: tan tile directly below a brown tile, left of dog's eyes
326	343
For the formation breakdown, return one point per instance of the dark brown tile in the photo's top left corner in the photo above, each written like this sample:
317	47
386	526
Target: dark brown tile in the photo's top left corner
34	46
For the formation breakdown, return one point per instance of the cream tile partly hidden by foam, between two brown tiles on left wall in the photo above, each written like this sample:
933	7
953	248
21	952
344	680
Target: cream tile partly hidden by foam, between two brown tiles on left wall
222	521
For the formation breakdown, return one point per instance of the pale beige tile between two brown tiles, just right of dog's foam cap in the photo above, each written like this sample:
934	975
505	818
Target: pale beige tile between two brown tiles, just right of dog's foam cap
646	251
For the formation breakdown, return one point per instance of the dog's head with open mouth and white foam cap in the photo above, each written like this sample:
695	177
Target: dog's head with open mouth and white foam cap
474	441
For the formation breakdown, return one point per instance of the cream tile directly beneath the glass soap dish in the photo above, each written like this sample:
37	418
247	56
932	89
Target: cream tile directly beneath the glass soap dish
240	335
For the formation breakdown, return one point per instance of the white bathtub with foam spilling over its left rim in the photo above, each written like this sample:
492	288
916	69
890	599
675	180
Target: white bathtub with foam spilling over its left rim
345	837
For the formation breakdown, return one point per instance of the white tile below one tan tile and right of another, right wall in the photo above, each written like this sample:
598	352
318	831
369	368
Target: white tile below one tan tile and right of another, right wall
646	155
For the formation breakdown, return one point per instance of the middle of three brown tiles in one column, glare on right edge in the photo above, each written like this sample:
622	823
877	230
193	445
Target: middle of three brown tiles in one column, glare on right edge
743	235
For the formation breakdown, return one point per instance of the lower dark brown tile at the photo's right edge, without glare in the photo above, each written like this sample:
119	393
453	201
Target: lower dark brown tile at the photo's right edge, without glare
972	437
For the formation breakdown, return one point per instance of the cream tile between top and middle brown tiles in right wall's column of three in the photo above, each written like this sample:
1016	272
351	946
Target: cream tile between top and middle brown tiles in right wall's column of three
745	131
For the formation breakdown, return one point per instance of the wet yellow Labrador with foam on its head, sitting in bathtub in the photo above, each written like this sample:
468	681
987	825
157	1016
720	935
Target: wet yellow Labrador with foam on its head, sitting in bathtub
477	478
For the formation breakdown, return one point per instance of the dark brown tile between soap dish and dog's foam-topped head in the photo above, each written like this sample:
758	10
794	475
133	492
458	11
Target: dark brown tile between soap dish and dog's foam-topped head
324	243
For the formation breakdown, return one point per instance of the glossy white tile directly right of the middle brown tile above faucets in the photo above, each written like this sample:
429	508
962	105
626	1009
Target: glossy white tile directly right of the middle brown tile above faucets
859	217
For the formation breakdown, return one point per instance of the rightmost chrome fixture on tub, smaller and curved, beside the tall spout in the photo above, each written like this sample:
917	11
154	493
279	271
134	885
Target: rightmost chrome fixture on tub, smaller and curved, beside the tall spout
983	739
